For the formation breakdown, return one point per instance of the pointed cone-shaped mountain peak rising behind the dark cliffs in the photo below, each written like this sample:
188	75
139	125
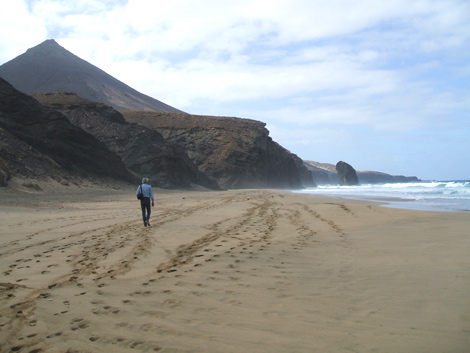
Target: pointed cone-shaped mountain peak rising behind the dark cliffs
48	67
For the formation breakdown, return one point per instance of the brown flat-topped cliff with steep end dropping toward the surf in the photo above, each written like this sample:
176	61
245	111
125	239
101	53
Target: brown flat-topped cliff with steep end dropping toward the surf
238	153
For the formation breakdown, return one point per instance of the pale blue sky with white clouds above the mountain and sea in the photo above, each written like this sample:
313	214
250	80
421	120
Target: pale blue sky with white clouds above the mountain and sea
381	85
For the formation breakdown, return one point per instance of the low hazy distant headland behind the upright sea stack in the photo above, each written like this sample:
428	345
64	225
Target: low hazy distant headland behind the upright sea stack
325	173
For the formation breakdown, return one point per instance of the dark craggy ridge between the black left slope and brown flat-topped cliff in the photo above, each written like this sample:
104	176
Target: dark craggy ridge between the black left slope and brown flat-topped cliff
144	151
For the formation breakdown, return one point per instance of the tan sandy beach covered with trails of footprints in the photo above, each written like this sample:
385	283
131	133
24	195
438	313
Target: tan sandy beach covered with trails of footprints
231	271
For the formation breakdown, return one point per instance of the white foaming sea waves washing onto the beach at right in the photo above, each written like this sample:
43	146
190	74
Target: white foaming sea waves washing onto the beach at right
450	196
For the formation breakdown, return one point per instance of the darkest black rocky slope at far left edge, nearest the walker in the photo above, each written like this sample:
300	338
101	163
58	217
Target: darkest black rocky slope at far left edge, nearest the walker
36	141
